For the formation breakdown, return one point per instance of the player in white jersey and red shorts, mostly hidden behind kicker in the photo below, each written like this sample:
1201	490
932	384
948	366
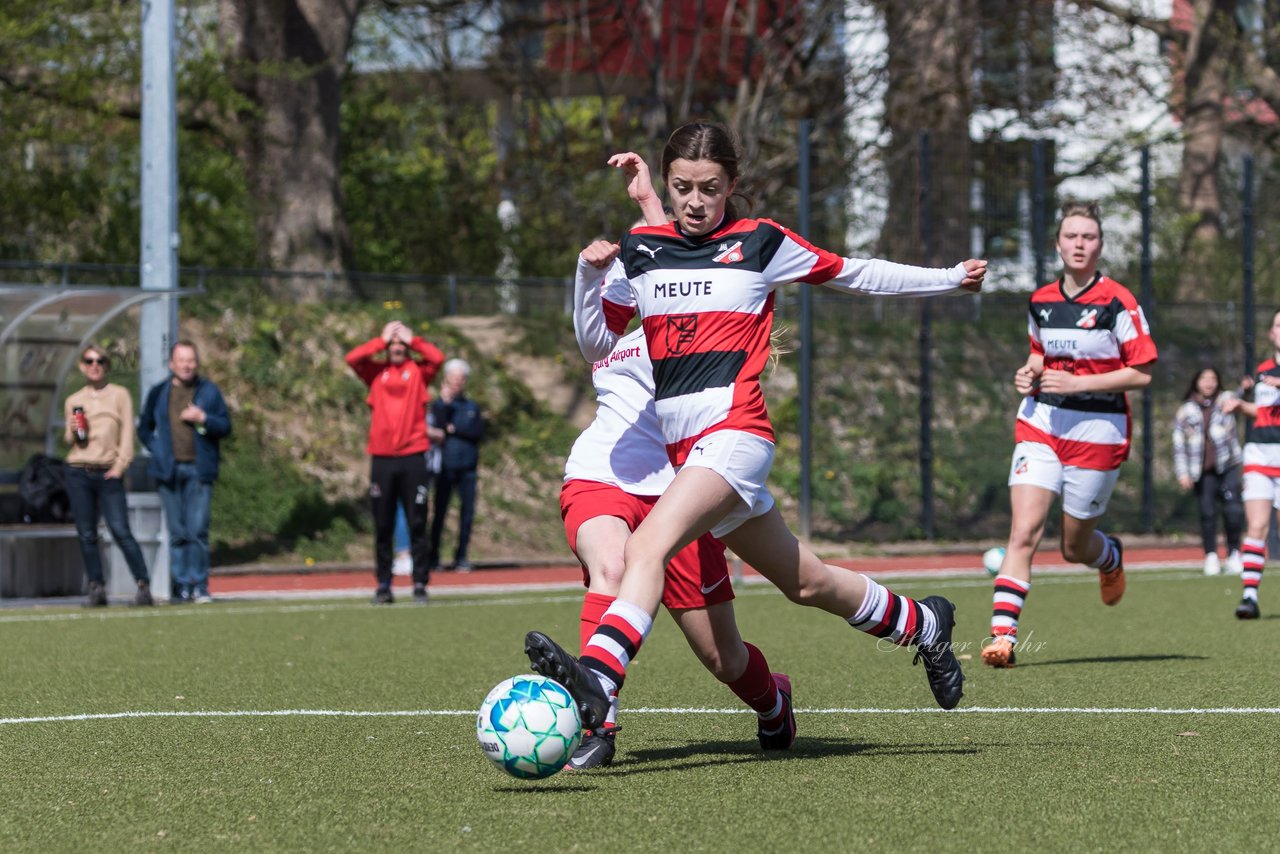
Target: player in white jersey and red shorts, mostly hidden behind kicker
612	479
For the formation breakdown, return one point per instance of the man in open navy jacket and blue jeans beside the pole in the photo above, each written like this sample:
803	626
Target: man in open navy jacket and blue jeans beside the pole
184	421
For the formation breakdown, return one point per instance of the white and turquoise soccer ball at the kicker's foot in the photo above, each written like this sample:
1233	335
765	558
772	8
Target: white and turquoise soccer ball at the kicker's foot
529	727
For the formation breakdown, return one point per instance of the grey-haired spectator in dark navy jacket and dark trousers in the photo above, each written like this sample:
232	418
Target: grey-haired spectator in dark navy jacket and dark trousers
458	424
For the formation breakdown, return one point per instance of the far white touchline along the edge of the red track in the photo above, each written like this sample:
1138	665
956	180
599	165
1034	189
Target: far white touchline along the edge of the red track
300	601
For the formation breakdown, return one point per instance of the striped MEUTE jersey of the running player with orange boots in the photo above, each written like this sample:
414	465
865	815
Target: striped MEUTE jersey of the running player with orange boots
1099	331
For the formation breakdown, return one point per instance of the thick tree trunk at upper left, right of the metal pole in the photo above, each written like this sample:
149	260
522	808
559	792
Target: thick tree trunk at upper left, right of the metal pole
289	58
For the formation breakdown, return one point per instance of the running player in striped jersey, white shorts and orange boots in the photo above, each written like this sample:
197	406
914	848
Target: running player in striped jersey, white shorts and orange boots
1090	345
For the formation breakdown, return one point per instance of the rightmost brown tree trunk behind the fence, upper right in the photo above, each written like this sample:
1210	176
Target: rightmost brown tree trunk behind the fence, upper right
1204	125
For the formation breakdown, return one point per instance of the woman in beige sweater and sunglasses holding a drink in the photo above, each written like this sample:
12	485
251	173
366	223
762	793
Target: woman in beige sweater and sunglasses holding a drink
100	431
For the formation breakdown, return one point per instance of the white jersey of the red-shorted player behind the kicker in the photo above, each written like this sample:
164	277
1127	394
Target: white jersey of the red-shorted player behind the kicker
624	445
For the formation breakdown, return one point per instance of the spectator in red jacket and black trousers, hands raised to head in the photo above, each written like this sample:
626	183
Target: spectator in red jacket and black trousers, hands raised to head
397	445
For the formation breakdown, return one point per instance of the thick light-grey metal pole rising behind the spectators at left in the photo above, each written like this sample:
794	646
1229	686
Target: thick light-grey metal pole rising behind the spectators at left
159	262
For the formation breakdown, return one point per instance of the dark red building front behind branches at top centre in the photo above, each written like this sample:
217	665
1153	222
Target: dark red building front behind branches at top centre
705	42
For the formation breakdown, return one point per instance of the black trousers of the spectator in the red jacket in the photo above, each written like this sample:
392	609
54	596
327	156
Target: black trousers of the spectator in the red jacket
405	482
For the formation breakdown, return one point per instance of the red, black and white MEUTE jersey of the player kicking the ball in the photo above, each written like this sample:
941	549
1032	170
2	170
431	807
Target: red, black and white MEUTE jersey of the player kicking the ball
707	309
